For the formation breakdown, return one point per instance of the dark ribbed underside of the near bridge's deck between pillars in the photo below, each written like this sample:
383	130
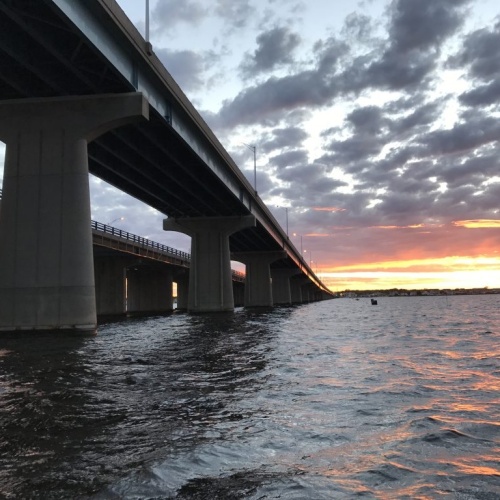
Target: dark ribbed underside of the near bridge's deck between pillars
45	56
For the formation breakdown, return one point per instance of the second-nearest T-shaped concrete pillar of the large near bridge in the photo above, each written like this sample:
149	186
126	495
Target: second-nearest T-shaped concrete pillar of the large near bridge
210	277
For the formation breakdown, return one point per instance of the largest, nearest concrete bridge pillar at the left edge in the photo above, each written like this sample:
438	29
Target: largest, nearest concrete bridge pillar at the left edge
46	262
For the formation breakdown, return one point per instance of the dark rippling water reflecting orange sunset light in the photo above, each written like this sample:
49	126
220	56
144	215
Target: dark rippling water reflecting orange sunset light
332	400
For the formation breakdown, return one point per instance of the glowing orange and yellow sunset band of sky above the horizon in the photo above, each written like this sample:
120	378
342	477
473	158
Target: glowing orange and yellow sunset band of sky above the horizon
464	255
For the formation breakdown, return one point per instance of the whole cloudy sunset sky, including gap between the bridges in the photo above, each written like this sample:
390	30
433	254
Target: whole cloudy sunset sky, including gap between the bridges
376	126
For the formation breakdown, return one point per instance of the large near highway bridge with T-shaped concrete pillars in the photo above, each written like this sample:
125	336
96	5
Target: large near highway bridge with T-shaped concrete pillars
81	91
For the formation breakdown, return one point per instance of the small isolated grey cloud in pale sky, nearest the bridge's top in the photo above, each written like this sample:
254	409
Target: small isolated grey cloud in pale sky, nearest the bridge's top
274	48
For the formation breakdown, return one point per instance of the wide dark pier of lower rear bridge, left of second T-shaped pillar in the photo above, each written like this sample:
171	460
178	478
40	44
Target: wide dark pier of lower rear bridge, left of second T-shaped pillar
149	289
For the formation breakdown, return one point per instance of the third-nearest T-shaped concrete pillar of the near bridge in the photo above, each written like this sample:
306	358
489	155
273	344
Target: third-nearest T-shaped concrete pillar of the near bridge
258	283
